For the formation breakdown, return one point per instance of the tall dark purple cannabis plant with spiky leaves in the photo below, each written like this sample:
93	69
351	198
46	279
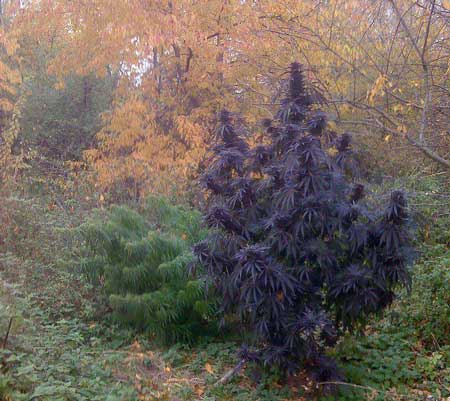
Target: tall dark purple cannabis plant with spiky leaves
295	250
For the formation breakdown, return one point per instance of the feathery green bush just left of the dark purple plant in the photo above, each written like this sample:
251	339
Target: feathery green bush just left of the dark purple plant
140	261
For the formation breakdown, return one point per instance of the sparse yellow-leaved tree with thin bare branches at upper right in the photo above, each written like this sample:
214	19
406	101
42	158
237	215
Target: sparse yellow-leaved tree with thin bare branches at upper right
386	63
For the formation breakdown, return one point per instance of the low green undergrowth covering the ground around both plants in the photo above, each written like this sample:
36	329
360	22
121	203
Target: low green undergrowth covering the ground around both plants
61	347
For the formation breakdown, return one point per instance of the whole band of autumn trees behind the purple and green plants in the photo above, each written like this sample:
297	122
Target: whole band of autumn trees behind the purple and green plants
127	90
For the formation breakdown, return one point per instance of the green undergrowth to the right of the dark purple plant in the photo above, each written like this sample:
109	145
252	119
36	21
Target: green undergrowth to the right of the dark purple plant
406	355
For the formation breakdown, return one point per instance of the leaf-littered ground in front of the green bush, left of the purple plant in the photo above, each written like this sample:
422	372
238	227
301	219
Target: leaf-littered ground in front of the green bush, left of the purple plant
58	349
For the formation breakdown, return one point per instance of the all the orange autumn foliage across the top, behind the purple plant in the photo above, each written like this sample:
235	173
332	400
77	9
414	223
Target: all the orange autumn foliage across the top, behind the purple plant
180	61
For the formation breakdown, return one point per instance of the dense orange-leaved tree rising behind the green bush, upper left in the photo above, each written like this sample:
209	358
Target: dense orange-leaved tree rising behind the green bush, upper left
173	73
